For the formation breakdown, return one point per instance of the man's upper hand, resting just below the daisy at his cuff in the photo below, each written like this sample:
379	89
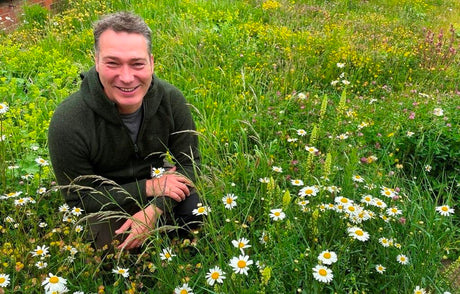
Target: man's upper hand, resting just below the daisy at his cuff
170	184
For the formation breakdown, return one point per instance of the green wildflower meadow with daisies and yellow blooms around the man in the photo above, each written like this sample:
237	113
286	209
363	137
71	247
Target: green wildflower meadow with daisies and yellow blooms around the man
330	138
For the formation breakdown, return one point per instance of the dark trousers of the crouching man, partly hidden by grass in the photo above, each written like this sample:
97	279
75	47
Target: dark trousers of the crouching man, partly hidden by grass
179	218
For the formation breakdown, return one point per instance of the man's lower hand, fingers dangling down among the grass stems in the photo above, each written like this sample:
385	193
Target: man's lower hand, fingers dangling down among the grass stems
140	224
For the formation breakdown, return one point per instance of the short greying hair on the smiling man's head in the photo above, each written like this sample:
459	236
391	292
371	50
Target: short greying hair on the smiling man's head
122	22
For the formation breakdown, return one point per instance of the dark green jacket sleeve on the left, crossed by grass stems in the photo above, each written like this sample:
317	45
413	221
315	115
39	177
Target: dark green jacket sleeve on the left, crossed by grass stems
80	186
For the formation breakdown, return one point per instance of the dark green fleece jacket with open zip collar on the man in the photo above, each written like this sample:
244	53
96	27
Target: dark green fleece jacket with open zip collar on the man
88	138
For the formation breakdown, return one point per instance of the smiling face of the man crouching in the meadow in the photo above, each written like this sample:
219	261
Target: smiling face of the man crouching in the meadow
125	68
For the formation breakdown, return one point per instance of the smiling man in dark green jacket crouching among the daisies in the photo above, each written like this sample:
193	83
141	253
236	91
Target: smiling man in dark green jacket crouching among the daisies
124	122
